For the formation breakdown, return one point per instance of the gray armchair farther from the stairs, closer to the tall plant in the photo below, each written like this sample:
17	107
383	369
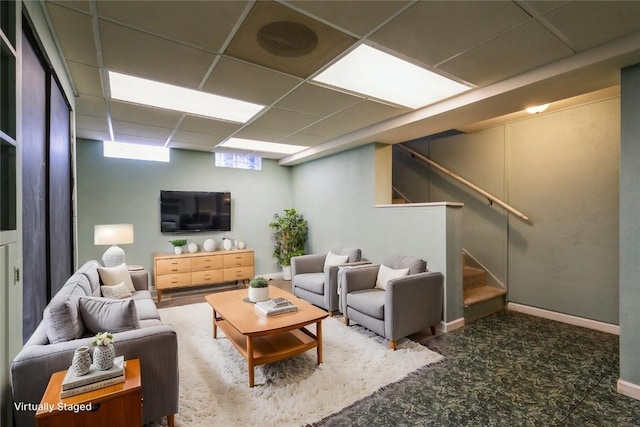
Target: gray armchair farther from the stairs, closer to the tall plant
312	282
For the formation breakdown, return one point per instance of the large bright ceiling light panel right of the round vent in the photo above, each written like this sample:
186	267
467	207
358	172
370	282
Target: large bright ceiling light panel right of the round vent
374	73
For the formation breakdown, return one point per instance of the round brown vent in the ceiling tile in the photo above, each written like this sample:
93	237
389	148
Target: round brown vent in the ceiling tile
286	38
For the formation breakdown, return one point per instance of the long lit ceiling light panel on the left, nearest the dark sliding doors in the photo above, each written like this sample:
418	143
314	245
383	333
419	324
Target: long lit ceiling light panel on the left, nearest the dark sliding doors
162	95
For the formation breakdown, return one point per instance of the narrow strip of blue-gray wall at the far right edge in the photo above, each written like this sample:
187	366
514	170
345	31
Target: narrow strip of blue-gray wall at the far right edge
630	226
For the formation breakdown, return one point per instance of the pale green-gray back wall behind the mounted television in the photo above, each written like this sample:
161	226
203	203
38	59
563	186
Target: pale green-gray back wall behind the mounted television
128	191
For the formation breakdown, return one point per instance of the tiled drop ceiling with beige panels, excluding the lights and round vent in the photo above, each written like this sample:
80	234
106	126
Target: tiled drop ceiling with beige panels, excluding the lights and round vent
513	54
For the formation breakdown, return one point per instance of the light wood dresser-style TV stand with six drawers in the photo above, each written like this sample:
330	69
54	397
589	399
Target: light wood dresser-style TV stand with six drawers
172	271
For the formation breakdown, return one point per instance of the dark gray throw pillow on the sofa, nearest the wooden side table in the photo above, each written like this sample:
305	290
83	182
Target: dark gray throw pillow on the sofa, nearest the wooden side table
110	315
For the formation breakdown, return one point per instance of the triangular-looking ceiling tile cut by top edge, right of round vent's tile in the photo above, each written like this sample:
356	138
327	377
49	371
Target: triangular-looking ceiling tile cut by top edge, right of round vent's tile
349	15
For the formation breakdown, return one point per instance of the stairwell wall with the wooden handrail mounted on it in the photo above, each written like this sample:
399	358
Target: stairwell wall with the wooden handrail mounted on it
559	168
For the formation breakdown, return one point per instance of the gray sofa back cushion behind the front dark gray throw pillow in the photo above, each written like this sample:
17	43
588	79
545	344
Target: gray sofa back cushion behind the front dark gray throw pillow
62	320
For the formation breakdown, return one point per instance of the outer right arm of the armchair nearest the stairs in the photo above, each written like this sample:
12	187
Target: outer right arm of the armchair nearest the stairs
413	303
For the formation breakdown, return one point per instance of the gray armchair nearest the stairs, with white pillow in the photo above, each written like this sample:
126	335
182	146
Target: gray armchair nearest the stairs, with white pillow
409	304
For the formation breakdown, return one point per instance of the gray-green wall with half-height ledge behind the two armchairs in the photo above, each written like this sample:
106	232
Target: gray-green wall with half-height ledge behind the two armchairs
341	212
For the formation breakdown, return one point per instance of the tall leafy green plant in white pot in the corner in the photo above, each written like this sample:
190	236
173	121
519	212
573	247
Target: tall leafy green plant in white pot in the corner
290	235
